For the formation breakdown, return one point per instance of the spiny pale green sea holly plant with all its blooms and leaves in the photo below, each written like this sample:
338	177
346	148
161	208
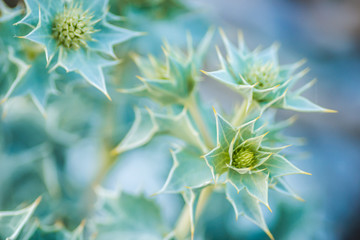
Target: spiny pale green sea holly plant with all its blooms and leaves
56	166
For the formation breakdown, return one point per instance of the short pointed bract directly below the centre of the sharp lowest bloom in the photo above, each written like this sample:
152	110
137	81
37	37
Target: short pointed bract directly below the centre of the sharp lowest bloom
255	183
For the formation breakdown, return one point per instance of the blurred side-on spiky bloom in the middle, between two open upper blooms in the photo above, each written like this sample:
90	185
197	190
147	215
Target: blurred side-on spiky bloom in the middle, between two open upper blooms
173	80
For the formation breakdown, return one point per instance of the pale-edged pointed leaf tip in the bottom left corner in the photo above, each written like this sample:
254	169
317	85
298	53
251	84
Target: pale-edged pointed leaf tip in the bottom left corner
13	222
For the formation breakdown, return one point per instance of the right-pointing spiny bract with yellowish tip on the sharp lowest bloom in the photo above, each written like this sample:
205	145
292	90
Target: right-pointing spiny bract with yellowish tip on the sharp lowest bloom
278	165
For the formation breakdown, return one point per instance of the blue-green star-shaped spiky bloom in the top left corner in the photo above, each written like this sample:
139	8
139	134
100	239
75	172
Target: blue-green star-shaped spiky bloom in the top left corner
76	35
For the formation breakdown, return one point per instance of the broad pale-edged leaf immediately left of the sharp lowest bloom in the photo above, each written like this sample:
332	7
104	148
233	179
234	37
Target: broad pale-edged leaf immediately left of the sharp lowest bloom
189	171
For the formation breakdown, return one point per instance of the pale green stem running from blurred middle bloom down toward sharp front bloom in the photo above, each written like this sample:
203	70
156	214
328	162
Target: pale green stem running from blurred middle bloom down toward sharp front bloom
192	105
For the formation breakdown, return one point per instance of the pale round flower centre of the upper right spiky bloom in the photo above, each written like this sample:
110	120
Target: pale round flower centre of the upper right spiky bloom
264	75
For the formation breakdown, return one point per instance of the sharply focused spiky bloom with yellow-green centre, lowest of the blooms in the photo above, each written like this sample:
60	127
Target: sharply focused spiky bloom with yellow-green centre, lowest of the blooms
246	166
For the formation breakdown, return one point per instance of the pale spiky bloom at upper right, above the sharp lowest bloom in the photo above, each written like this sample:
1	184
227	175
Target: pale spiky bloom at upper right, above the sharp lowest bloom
259	78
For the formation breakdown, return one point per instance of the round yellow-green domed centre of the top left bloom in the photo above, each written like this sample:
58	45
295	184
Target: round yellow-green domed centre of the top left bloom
73	27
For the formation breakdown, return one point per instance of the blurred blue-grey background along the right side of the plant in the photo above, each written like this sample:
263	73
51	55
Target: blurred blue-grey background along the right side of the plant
327	34
